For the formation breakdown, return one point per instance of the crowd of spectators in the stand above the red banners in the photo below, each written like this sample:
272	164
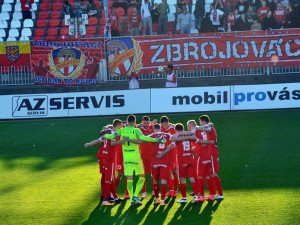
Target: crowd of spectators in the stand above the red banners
223	15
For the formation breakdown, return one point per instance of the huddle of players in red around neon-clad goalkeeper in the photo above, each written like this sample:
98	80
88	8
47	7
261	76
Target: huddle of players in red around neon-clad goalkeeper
165	151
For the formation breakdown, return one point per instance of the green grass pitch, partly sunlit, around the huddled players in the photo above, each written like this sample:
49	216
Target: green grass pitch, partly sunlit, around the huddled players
47	177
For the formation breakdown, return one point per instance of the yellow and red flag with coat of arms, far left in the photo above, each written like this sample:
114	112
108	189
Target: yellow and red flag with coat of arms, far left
15	53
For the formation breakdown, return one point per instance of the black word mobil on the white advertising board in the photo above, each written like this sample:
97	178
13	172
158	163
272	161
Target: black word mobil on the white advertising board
207	98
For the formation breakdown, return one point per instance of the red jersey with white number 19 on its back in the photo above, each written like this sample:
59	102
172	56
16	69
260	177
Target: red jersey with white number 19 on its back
184	149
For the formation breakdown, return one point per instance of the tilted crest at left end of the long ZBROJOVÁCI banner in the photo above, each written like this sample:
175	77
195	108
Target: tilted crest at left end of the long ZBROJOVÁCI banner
125	56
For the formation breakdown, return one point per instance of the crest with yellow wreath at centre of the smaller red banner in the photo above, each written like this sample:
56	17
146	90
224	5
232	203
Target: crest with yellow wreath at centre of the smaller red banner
66	62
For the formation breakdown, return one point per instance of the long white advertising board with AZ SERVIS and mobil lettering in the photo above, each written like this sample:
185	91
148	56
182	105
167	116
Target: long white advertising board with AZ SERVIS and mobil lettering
157	100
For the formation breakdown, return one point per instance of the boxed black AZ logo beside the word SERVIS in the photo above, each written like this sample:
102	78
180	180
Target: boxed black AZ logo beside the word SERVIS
29	106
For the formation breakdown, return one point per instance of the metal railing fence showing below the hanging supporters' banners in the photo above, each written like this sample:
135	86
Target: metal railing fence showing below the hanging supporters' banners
22	75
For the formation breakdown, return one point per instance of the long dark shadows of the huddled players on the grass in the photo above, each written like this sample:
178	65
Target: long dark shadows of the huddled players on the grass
185	214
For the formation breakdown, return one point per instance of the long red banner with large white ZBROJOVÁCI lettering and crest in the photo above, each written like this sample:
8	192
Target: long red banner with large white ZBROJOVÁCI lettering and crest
204	51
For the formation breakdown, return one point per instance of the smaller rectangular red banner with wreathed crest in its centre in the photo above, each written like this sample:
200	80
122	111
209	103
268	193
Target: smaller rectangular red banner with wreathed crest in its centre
66	63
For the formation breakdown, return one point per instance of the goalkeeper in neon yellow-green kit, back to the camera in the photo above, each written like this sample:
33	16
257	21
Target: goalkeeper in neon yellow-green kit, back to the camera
132	156
